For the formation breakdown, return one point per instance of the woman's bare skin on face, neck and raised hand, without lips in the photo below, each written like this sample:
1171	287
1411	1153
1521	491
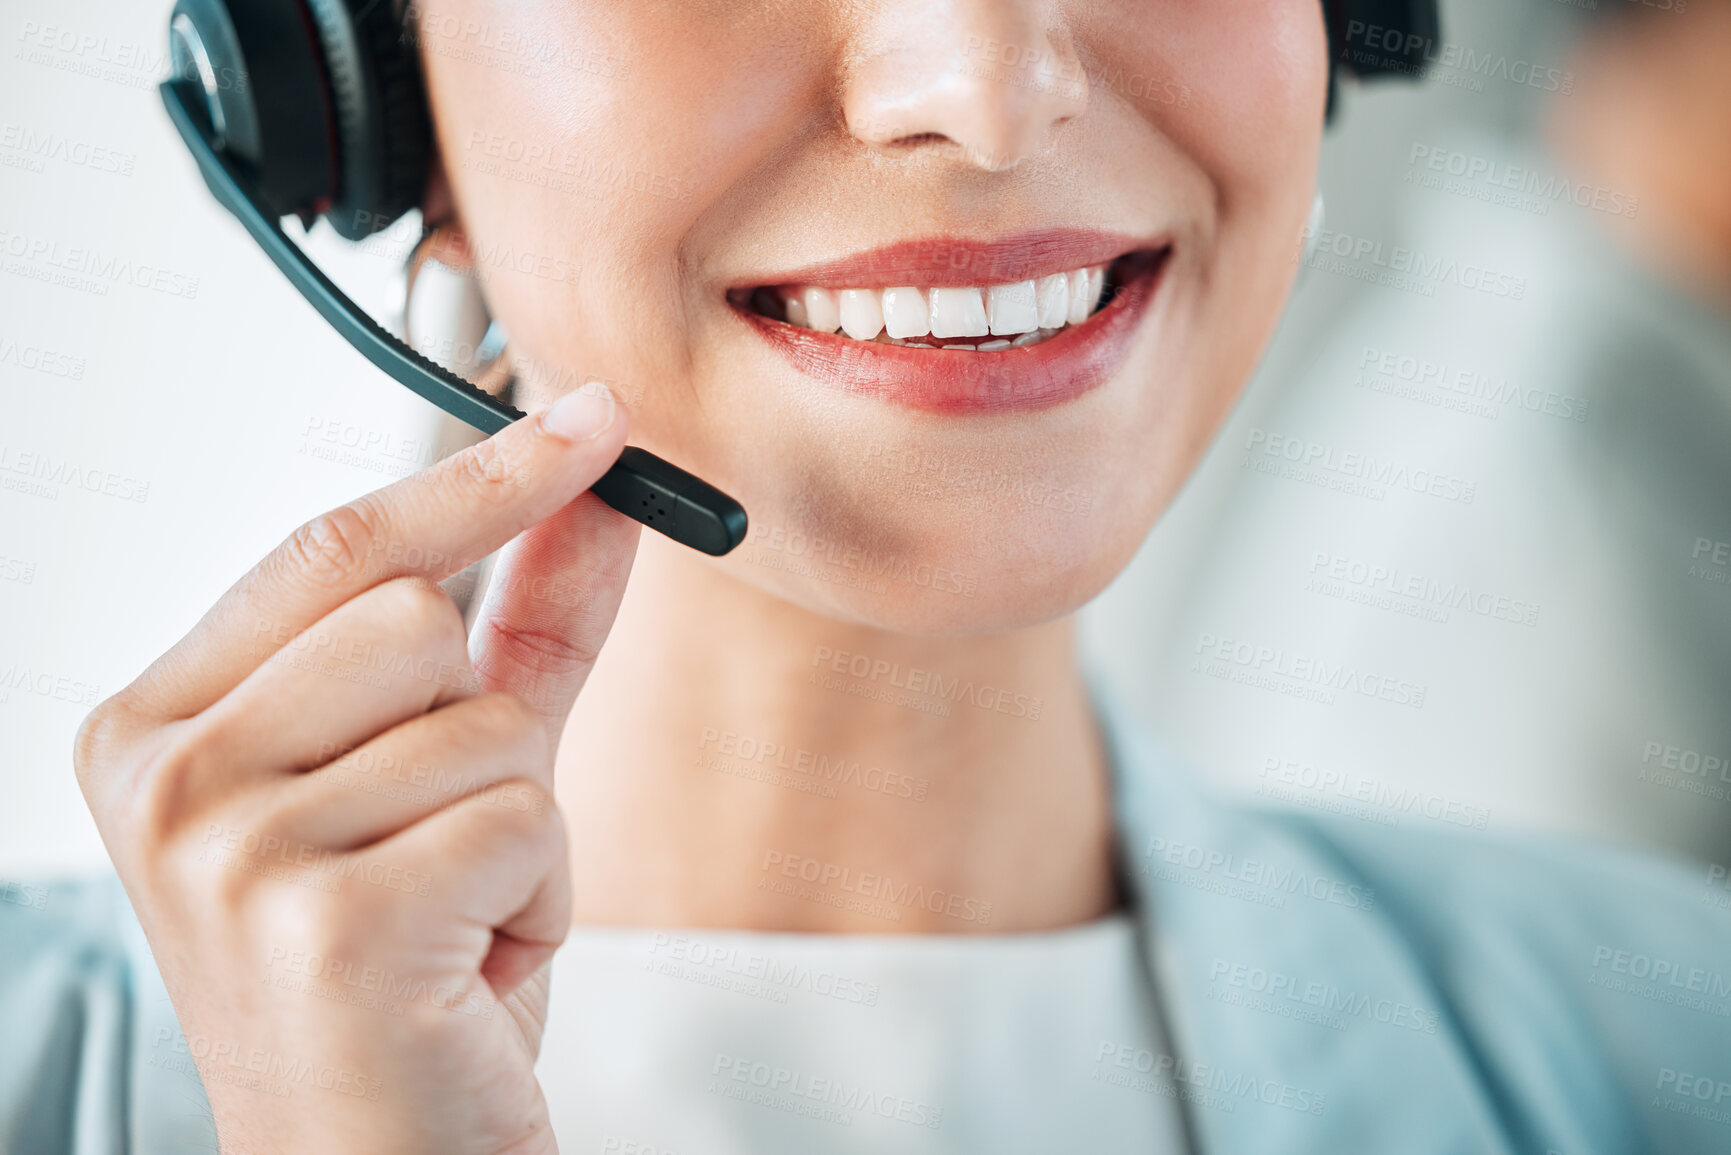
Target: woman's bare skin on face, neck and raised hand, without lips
236	782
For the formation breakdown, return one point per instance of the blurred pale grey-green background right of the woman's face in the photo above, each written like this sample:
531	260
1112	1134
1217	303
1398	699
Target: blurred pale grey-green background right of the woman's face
1583	399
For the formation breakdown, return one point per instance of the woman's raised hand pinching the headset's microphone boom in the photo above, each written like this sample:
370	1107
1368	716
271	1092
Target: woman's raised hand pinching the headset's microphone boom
335	815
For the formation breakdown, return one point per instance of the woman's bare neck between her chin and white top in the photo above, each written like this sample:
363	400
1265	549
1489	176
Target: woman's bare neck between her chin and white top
737	761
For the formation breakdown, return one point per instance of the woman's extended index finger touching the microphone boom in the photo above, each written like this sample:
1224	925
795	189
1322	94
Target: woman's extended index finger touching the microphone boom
434	524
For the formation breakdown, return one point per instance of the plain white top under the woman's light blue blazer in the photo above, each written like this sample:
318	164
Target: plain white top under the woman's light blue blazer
738	1043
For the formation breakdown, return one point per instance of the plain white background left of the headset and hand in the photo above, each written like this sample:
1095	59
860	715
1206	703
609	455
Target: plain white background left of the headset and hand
217	399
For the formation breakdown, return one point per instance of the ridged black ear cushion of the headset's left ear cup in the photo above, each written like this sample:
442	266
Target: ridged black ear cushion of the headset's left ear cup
380	112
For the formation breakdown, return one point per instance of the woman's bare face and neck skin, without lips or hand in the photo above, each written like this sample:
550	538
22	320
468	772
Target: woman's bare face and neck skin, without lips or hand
797	141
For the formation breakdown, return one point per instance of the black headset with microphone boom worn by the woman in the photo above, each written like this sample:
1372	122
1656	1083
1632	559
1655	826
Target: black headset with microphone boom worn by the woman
316	108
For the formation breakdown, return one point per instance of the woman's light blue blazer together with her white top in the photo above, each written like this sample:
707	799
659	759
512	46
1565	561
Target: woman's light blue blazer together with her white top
1323	984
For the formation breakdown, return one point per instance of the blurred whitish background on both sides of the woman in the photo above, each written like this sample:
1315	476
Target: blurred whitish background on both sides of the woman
221	406
